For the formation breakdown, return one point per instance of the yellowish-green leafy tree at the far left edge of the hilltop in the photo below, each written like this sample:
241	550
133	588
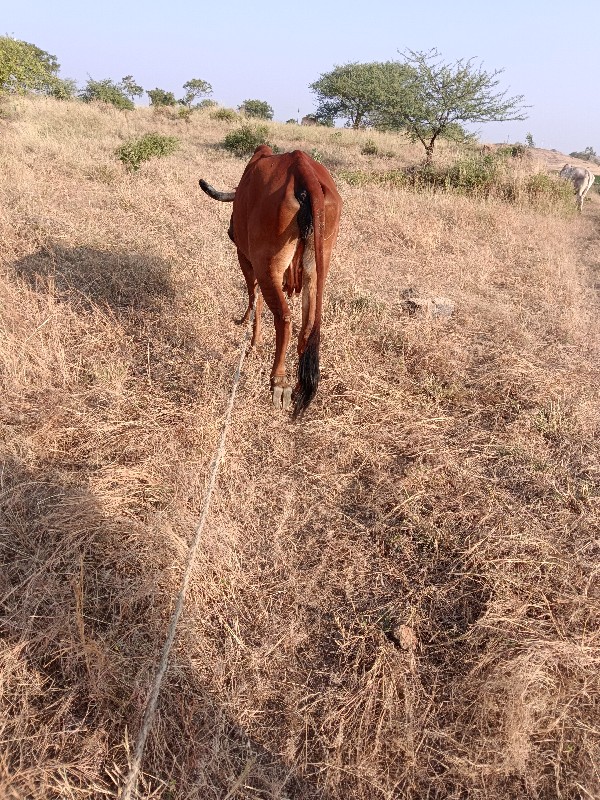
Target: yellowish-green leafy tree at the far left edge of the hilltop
26	68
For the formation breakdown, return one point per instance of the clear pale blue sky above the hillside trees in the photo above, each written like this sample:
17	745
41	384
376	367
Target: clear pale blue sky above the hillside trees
272	51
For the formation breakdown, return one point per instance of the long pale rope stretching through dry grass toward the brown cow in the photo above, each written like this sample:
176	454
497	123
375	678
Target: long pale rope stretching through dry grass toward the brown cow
132	778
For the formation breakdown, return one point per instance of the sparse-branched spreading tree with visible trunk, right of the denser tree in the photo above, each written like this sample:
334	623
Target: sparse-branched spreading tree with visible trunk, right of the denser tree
442	94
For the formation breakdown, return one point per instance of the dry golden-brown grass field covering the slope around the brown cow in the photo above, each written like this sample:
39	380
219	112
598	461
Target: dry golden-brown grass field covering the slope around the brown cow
395	597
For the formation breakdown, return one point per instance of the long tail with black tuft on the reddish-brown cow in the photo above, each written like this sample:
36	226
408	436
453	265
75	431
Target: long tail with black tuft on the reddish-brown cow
311	219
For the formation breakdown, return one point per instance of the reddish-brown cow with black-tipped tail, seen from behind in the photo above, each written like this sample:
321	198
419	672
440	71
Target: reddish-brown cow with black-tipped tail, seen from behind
286	213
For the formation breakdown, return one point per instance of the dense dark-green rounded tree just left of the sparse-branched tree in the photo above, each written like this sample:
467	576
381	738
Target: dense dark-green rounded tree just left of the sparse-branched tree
359	92
